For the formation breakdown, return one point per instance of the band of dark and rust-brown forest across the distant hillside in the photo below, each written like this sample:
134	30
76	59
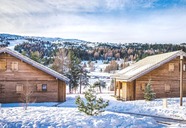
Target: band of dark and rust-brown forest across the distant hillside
106	52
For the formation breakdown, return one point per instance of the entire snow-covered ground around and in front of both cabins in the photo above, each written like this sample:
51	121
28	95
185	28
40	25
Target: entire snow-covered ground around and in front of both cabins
66	115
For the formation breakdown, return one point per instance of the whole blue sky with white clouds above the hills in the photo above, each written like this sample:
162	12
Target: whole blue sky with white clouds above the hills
117	21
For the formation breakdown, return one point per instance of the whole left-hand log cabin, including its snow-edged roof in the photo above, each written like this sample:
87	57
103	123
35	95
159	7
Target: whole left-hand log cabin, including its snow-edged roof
21	76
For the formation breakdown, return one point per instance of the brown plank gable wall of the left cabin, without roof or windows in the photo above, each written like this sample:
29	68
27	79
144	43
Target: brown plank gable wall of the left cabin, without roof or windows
28	75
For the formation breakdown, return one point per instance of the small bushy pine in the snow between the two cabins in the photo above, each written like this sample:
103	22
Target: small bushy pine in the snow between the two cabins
92	106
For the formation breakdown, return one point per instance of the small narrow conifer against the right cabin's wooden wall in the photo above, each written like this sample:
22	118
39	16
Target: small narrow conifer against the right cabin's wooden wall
148	92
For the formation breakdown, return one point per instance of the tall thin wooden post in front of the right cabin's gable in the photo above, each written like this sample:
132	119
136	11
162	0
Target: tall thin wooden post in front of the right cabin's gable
181	80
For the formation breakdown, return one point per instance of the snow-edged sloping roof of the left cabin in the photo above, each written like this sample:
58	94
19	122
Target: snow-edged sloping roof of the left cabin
34	63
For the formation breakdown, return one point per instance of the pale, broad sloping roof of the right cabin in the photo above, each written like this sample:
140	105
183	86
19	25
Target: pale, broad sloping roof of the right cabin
146	65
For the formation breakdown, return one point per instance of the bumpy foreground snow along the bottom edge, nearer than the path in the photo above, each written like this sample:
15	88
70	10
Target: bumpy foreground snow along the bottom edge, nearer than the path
67	118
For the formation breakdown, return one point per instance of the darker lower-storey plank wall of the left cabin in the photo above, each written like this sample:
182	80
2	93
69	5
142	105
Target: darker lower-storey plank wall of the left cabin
10	94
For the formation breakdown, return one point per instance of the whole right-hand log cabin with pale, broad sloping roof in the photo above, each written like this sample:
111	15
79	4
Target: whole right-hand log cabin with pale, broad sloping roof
163	71
